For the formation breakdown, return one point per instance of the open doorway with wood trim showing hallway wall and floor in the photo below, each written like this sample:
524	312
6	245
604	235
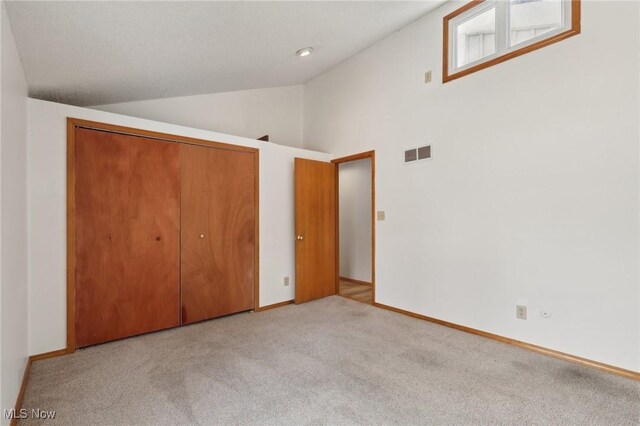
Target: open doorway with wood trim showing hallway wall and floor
355	184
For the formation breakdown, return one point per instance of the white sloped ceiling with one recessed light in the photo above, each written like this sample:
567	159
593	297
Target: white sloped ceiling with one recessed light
91	53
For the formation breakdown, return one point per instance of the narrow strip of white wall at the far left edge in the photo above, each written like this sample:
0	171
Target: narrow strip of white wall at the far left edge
13	212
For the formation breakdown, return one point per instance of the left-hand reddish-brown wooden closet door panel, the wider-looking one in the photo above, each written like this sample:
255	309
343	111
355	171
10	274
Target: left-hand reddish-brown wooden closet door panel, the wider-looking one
127	236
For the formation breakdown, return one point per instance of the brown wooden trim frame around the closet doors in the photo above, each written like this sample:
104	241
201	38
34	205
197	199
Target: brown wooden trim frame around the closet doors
72	124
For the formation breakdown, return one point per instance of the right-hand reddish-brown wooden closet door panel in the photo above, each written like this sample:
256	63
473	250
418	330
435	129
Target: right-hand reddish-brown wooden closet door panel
218	232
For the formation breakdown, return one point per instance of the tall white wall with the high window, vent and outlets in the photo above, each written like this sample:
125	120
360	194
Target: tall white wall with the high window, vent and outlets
532	195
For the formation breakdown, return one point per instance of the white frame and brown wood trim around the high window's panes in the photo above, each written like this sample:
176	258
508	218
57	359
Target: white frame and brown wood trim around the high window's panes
502	35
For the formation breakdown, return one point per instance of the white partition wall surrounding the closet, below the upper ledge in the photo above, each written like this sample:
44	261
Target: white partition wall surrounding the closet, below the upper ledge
47	212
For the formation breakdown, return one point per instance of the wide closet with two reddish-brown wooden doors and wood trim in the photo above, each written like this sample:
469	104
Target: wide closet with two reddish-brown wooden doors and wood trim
163	231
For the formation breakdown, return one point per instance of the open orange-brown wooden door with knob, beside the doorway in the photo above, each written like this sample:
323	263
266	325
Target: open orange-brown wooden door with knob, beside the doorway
315	205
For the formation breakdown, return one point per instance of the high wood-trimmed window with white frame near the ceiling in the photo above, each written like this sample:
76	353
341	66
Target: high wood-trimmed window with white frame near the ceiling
486	32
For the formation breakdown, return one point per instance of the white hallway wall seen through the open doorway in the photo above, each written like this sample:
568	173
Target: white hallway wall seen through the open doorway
355	219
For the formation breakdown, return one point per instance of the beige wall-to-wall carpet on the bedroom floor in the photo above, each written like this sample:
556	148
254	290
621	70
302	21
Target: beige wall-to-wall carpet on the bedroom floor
333	361
